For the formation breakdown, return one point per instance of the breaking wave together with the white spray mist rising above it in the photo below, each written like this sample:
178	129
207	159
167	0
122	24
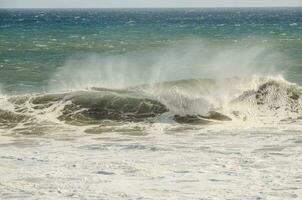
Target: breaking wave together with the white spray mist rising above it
181	84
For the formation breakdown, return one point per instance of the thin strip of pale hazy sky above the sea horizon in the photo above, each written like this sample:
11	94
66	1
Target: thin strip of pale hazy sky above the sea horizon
144	3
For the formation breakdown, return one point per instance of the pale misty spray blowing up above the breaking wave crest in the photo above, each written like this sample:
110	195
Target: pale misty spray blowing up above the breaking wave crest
182	60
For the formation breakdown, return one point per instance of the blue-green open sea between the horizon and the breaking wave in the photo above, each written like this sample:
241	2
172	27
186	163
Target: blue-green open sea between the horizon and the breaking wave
35	45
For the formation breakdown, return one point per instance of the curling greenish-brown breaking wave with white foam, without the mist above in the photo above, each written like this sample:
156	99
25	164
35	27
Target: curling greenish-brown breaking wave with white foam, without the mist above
193	101
